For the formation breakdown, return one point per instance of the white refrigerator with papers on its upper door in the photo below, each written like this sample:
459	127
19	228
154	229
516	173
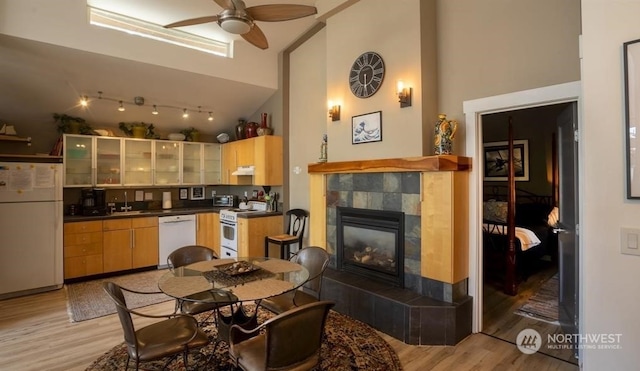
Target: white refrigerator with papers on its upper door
31	225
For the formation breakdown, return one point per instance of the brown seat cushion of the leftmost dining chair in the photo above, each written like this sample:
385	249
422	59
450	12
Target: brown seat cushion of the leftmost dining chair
168	337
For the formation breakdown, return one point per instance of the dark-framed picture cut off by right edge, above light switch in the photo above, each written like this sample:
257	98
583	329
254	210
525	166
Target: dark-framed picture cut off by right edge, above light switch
632	108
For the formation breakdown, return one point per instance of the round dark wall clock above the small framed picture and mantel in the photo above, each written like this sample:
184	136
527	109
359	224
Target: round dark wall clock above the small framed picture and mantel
366	75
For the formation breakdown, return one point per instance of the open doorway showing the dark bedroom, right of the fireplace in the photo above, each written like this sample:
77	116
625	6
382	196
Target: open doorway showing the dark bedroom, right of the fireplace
536	303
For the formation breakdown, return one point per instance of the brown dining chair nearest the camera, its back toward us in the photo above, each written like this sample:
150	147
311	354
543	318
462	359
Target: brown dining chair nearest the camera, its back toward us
288	341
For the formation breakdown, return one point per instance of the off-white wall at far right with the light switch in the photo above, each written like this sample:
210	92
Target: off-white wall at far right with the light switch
611	281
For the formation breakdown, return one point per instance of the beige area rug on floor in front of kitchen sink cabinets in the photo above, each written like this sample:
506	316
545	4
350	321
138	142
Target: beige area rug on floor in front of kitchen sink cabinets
87	300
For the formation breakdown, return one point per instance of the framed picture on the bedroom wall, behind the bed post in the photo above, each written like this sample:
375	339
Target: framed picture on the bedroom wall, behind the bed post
496	160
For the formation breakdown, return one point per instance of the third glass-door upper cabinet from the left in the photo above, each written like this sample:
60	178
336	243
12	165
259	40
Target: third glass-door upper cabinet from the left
137	162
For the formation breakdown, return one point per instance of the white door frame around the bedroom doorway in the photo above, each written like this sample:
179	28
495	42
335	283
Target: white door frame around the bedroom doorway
473	110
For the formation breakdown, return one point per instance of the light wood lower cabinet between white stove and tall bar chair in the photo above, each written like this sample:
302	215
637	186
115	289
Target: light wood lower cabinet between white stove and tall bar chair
252	231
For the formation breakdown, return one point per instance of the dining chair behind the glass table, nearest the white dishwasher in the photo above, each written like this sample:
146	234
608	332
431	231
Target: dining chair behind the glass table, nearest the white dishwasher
184	256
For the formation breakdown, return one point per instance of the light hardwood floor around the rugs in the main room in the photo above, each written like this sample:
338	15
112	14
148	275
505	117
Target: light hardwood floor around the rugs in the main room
35	334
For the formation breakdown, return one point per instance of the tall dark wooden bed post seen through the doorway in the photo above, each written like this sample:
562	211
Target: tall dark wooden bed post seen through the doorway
511	282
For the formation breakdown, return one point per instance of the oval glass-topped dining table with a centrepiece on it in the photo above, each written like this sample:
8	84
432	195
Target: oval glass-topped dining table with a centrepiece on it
232	282
